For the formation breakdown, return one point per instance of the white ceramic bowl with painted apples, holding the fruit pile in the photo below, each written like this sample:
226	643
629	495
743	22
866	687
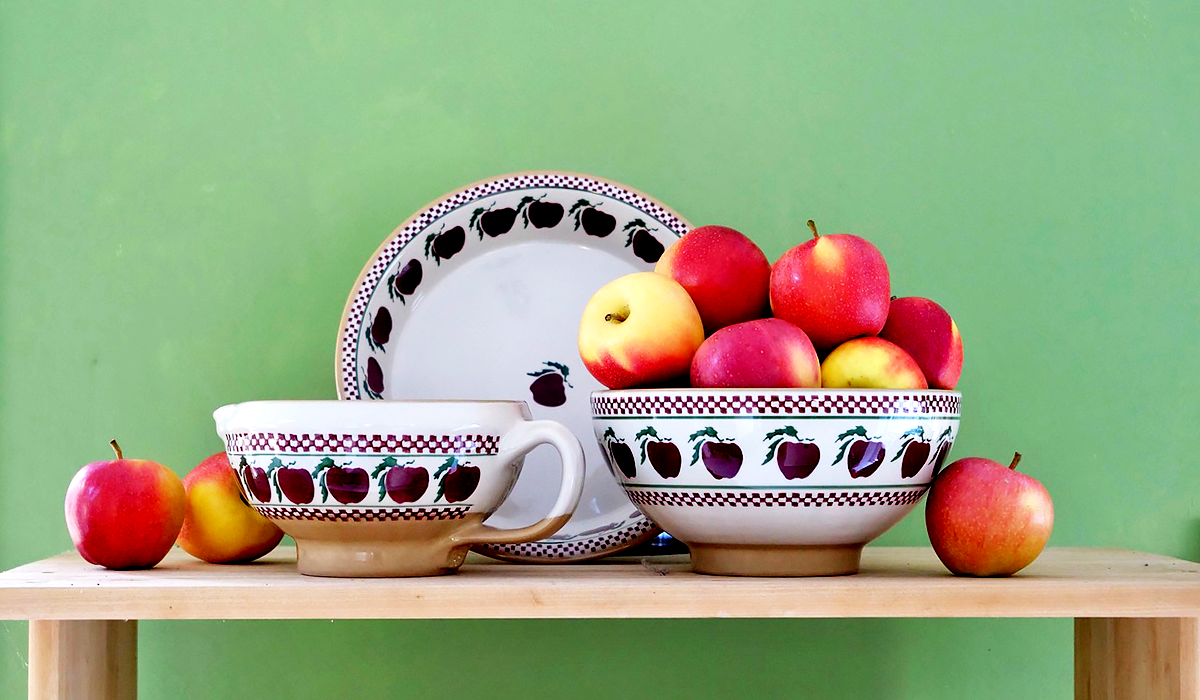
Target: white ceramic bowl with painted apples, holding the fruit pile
776	482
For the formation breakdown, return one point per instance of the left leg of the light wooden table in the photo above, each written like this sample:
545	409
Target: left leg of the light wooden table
83	660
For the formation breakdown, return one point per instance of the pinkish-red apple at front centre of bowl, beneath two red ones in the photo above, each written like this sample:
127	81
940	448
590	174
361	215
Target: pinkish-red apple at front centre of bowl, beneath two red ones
766	354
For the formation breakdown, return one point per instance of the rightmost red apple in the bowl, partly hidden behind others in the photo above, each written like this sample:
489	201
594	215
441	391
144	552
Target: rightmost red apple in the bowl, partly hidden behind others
927	333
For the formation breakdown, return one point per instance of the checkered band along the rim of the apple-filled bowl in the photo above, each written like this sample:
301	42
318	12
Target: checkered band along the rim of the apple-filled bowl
794	404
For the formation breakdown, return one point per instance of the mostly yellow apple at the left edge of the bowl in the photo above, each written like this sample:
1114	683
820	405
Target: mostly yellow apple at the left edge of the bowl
640	330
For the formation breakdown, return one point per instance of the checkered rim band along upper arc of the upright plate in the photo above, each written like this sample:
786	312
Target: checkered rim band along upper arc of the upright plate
349	375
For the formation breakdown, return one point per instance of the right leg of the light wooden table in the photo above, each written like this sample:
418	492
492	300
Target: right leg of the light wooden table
1143	657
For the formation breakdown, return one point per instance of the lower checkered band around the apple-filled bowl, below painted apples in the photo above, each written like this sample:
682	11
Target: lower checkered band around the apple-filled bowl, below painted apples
771	500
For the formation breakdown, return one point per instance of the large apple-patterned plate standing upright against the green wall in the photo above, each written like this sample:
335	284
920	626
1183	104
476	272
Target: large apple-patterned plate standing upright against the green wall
479	296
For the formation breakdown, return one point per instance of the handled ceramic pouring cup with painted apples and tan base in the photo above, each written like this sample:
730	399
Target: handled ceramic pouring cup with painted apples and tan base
393	488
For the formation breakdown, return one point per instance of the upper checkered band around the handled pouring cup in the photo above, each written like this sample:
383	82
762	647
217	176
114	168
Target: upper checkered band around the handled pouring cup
439	445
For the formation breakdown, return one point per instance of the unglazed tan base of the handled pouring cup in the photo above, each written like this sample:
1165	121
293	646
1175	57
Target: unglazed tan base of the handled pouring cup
377	549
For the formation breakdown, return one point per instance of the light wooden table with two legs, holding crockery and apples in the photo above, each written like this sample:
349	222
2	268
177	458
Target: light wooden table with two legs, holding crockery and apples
1137	615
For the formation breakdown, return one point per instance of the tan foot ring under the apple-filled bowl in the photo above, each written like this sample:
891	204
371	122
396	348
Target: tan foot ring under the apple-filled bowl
776	560
